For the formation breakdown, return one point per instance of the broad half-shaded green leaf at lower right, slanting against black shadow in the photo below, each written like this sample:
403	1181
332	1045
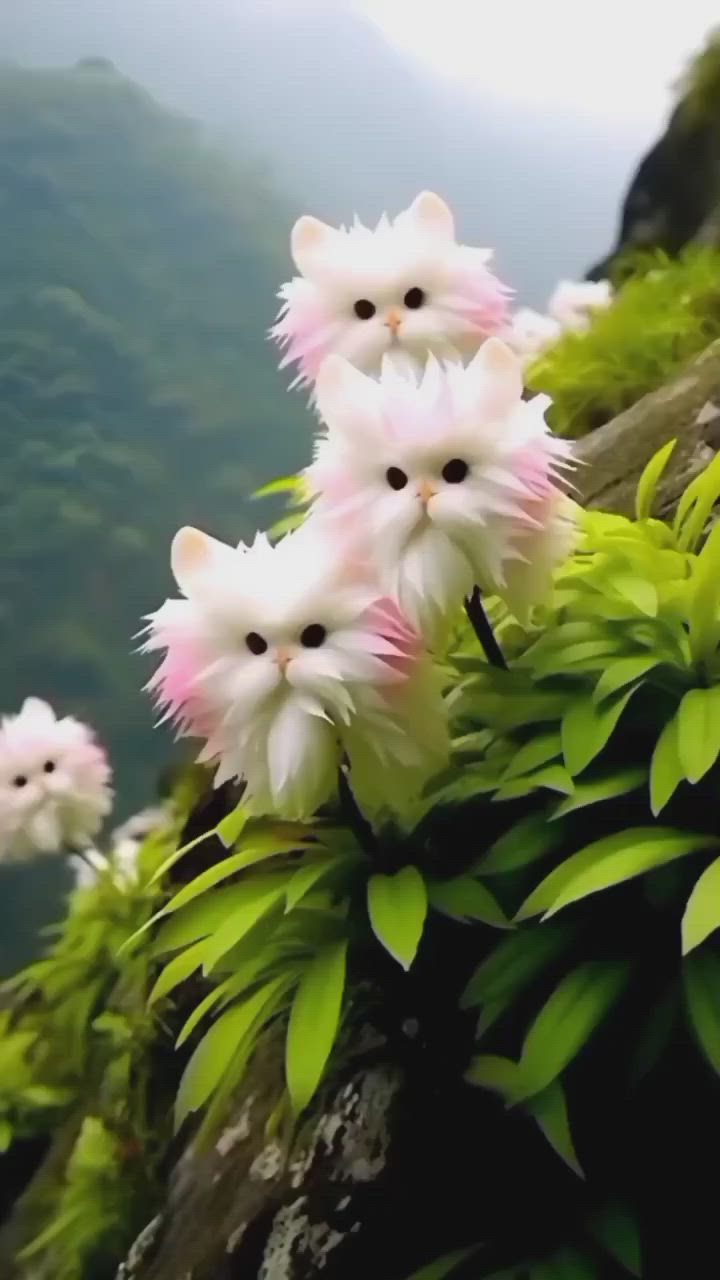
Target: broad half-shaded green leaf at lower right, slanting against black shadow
566	1023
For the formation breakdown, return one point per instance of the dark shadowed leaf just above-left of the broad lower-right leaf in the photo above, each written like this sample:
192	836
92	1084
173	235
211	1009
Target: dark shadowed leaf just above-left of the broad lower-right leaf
517	962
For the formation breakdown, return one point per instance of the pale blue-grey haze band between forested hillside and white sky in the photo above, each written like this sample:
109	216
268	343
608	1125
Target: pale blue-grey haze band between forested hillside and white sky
348	122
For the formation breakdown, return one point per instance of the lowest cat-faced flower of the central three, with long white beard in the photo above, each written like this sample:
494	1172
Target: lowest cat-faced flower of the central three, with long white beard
288	659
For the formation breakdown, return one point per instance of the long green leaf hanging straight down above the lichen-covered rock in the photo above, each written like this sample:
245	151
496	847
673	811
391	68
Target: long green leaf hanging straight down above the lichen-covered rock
315	1021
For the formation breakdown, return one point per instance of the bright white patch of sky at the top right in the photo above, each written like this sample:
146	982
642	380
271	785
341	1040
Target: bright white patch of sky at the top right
613	63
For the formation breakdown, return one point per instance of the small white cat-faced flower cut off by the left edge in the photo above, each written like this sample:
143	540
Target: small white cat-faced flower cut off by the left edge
54	783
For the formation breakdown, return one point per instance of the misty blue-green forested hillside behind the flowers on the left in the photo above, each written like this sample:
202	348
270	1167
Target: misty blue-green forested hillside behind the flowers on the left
138	391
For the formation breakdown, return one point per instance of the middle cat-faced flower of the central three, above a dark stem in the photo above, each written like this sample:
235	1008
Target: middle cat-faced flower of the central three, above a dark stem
454	479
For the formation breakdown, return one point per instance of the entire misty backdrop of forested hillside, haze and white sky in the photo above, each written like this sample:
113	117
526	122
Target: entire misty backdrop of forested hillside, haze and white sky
153	158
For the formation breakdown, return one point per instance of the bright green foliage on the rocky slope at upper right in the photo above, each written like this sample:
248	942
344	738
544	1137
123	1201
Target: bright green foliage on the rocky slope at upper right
667	313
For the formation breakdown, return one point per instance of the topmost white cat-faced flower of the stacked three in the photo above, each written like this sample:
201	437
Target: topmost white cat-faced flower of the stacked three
404	289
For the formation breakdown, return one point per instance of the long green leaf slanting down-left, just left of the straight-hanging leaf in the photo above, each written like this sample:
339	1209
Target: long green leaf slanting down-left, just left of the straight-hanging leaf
217	1050
